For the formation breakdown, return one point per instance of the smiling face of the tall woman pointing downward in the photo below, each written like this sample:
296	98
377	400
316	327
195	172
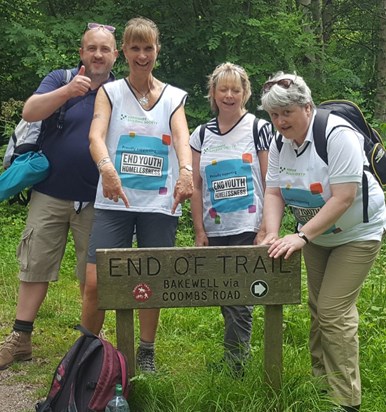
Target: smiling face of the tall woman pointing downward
140	56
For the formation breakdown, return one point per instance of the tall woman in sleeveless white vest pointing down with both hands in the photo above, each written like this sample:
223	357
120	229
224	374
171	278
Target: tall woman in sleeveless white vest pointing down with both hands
139	140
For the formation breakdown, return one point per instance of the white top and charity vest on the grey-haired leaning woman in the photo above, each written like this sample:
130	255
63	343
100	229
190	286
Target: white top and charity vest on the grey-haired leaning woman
305	179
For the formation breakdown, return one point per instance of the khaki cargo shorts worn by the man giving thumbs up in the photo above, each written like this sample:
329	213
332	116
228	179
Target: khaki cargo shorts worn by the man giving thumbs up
44	239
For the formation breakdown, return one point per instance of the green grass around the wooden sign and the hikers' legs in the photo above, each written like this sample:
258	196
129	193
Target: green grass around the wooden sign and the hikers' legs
190	339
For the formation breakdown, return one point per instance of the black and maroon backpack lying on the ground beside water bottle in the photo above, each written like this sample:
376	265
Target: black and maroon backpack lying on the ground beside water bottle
85	379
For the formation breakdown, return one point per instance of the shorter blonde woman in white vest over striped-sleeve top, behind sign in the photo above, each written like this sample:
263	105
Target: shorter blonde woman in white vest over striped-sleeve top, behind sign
230	155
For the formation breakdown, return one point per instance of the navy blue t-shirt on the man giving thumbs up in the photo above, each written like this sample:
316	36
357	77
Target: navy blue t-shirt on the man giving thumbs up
74	175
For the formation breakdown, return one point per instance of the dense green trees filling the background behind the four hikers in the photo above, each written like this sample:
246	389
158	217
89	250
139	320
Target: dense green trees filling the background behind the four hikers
262	36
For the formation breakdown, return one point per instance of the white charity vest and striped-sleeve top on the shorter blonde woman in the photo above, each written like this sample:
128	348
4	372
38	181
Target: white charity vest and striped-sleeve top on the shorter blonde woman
232	189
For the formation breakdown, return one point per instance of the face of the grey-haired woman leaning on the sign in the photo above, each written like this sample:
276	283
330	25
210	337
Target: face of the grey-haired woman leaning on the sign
292	121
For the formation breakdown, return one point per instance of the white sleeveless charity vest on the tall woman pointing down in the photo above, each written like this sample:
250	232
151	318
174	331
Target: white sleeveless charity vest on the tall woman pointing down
140	145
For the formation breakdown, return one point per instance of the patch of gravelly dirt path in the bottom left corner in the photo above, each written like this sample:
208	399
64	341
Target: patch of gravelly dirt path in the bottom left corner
14	396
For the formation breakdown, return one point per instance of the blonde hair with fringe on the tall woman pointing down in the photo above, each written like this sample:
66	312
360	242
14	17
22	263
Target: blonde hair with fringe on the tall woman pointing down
141	29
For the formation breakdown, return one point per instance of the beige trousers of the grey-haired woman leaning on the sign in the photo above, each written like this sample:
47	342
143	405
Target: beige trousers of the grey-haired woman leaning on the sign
335	276
